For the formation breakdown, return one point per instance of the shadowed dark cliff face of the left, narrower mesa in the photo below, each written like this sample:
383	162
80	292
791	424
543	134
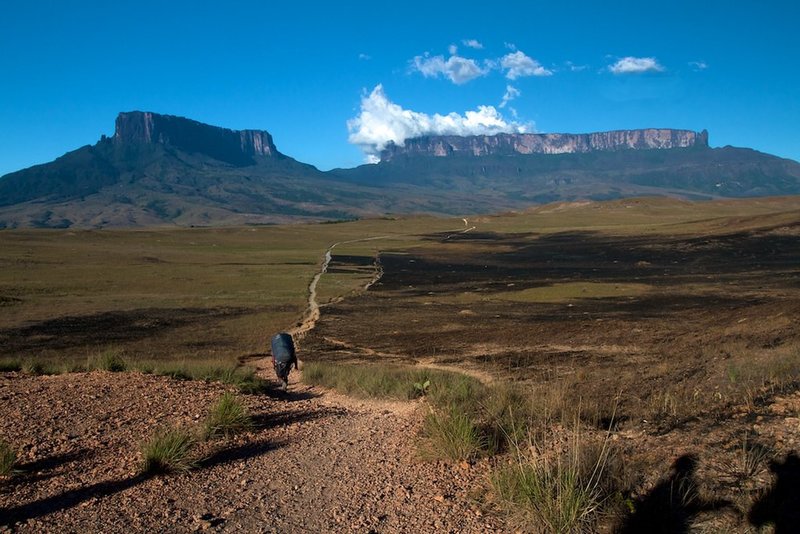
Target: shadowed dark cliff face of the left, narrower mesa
230	146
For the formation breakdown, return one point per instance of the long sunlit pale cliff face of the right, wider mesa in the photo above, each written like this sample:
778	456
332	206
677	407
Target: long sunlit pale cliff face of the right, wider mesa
510	144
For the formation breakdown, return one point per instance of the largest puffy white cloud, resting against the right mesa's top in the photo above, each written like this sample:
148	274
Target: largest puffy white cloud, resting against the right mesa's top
381	121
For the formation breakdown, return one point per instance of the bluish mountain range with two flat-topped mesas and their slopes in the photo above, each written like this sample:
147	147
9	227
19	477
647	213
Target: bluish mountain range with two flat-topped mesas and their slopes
160	169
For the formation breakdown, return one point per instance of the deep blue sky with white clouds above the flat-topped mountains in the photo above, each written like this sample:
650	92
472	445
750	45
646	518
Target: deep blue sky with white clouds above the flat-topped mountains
302	72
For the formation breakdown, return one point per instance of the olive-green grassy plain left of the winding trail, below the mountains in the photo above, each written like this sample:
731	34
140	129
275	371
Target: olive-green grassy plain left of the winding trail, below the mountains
168	294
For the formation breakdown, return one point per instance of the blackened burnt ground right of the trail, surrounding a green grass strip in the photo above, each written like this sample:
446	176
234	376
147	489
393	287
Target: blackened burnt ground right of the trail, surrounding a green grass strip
701	293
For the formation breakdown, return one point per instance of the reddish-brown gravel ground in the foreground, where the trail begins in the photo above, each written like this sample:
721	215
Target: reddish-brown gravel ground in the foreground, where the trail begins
316	462
